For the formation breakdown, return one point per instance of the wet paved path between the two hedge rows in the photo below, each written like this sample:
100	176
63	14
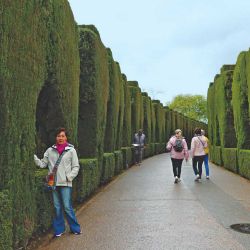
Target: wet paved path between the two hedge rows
144	209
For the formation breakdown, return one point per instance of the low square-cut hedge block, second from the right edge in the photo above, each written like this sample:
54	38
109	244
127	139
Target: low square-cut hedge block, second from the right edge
230	160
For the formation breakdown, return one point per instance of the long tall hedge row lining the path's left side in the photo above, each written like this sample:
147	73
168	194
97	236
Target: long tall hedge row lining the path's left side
62	75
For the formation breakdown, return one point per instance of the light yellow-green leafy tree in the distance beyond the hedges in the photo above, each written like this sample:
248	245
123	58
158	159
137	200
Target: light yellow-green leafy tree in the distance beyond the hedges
193	106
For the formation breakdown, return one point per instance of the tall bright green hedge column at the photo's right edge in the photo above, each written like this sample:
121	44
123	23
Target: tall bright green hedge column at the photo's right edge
240	100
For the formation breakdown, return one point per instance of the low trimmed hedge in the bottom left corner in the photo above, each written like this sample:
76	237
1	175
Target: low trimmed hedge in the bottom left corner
6	223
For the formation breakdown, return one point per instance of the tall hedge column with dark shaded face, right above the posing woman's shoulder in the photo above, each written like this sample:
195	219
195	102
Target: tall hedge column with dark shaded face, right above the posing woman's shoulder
94	89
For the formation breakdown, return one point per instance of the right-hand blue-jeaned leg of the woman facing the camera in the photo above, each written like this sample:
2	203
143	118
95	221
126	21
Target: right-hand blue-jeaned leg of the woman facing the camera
70	214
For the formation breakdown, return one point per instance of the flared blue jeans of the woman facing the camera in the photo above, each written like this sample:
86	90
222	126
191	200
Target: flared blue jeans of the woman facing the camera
62	201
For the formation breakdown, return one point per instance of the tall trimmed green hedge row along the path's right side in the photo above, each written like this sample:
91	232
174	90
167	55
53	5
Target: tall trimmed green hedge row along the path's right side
228	116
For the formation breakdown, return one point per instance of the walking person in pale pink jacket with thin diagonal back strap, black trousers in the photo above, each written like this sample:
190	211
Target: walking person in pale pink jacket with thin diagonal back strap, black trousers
198	144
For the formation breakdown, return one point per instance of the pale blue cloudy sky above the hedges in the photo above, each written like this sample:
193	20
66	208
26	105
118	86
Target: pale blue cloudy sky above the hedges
170	47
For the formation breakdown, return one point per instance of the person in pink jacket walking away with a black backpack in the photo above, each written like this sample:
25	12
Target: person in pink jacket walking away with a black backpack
177	146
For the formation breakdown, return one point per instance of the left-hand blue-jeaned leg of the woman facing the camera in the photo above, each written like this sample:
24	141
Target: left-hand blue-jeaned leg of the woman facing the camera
58	221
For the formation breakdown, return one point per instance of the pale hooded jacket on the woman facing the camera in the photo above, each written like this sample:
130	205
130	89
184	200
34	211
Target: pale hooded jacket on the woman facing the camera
68	167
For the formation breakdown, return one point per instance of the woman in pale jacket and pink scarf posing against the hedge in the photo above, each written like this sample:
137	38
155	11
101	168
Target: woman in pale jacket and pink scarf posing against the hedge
67	170
